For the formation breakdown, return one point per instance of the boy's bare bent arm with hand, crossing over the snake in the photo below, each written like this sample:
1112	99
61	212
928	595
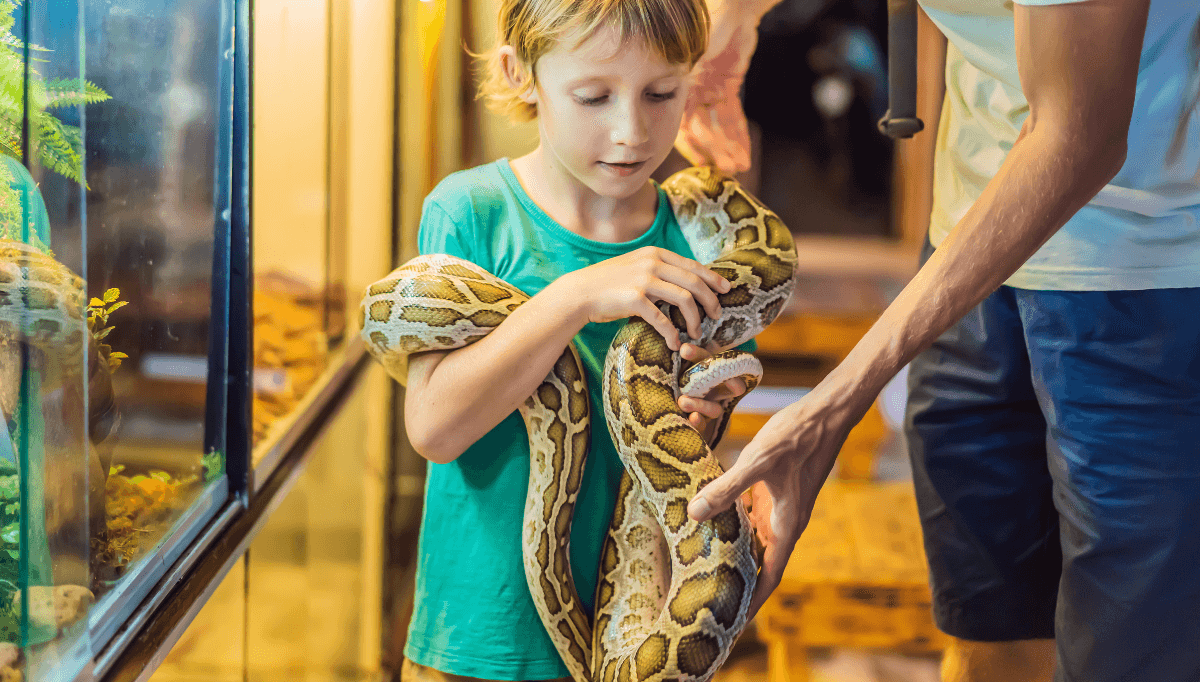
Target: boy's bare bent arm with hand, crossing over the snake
457	398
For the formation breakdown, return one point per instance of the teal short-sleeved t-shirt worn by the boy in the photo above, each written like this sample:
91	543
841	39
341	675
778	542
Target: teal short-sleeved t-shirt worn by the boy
473	614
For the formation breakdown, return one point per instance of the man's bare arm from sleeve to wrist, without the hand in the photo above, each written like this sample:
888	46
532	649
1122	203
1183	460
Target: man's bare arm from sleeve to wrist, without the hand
1079	67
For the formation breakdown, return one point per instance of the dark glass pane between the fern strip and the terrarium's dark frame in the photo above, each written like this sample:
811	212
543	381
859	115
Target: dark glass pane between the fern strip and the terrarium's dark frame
152	155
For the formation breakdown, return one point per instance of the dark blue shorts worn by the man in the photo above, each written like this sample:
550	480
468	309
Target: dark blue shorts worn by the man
1055	441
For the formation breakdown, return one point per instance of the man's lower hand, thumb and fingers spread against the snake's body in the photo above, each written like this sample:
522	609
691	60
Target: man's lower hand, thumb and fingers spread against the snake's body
787	464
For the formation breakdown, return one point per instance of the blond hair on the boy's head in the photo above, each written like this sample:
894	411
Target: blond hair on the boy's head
676	29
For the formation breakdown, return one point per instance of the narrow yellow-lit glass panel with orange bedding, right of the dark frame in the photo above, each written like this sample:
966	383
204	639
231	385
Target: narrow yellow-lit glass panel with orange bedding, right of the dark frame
291	195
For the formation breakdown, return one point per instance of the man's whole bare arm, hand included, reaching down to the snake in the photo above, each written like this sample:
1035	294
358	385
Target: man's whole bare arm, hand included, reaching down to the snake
1078	65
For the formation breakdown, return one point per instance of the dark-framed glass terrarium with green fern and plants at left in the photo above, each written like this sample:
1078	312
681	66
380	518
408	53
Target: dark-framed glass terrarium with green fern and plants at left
115	190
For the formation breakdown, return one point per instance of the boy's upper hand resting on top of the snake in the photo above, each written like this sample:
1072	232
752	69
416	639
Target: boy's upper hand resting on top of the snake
633	285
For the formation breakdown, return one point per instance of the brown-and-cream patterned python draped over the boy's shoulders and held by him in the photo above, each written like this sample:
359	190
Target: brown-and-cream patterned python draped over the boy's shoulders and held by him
674	594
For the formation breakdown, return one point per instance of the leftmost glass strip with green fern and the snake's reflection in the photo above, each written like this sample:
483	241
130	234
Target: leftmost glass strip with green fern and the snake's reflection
51	468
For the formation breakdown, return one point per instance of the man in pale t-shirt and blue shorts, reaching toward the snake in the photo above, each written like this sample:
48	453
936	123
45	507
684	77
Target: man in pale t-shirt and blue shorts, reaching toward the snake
1055	386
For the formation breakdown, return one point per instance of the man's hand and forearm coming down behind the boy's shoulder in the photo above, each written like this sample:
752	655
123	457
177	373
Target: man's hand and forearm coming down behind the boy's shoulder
715	127
